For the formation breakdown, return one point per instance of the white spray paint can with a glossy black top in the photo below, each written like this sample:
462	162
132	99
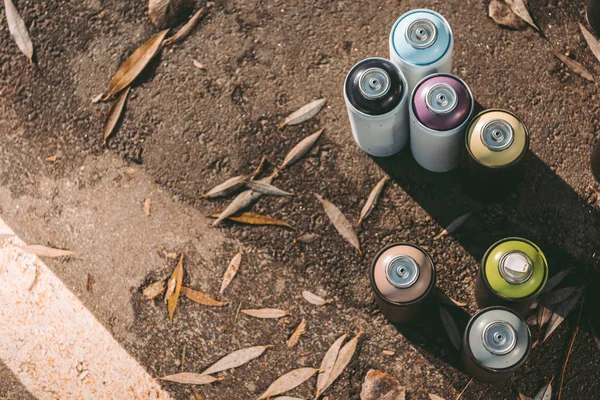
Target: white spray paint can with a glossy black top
377	103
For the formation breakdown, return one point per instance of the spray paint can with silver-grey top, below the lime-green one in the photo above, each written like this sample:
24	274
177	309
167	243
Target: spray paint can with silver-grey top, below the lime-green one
496	343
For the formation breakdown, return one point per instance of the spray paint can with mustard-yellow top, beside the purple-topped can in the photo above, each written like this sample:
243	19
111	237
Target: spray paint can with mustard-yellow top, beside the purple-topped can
496	143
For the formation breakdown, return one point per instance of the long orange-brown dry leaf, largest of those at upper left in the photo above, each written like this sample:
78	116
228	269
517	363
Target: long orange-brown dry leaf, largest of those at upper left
134	65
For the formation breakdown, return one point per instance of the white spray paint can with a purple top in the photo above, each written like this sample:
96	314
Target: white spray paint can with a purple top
440	109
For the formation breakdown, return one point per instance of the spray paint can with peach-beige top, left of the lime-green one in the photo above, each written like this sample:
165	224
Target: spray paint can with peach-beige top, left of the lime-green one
403	279
